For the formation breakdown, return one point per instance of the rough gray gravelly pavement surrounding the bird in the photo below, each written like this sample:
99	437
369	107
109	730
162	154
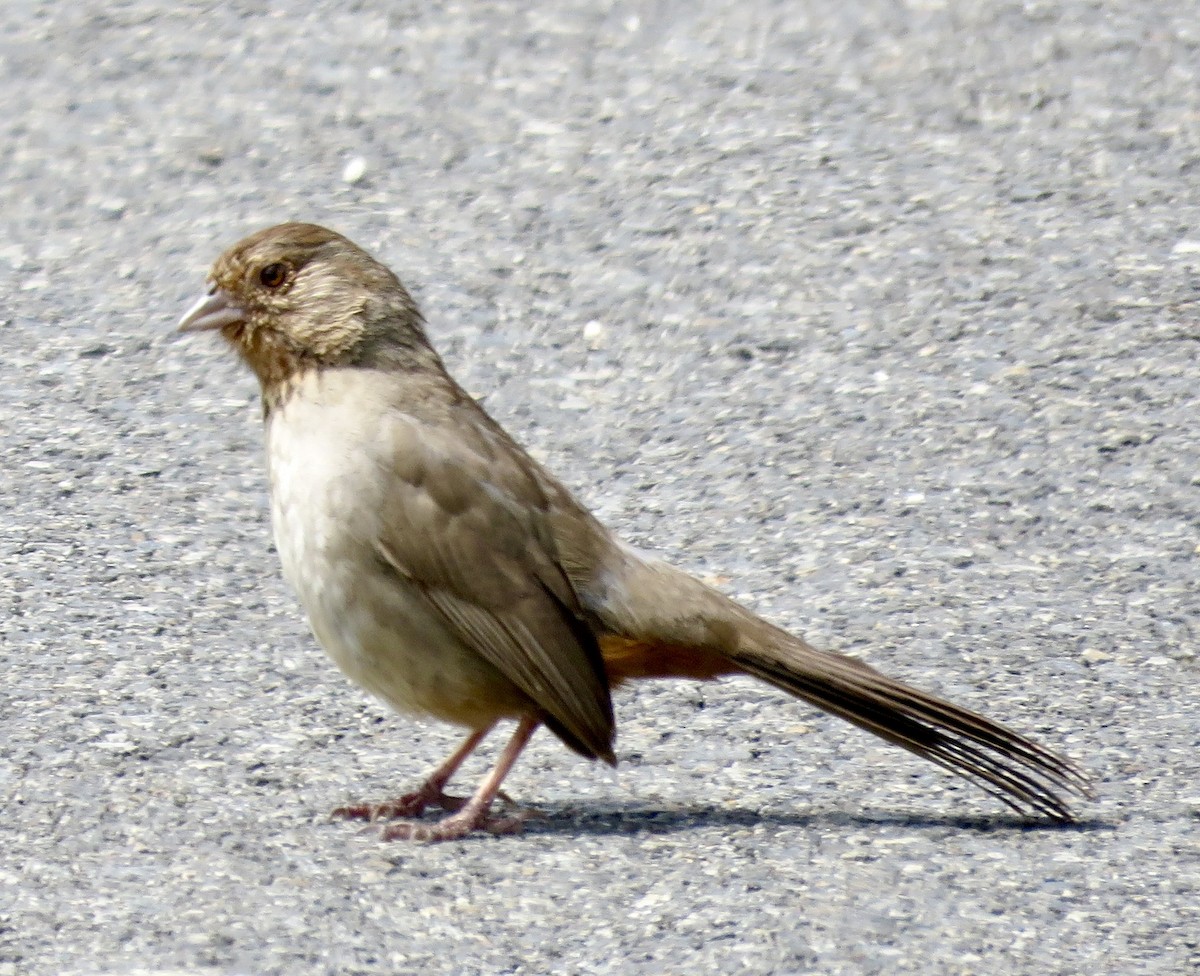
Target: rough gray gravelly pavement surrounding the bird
881	315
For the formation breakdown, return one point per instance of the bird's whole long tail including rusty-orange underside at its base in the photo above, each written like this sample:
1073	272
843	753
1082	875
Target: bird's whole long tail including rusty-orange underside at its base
686	630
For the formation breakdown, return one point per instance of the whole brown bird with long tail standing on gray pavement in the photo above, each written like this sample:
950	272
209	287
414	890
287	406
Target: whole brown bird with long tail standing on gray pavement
449	574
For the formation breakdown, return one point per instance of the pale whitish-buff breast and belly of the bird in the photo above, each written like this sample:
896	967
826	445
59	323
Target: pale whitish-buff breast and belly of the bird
329	487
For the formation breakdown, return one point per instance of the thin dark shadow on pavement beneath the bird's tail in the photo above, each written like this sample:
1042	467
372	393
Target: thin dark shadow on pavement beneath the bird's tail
605	822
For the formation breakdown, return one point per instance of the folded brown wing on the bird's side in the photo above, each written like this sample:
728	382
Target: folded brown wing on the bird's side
467	526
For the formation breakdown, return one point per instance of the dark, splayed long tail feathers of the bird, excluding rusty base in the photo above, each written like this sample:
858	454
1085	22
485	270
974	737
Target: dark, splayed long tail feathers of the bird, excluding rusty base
1019	773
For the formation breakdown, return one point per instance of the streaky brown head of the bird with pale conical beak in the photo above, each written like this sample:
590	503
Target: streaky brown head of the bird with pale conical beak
298	297
